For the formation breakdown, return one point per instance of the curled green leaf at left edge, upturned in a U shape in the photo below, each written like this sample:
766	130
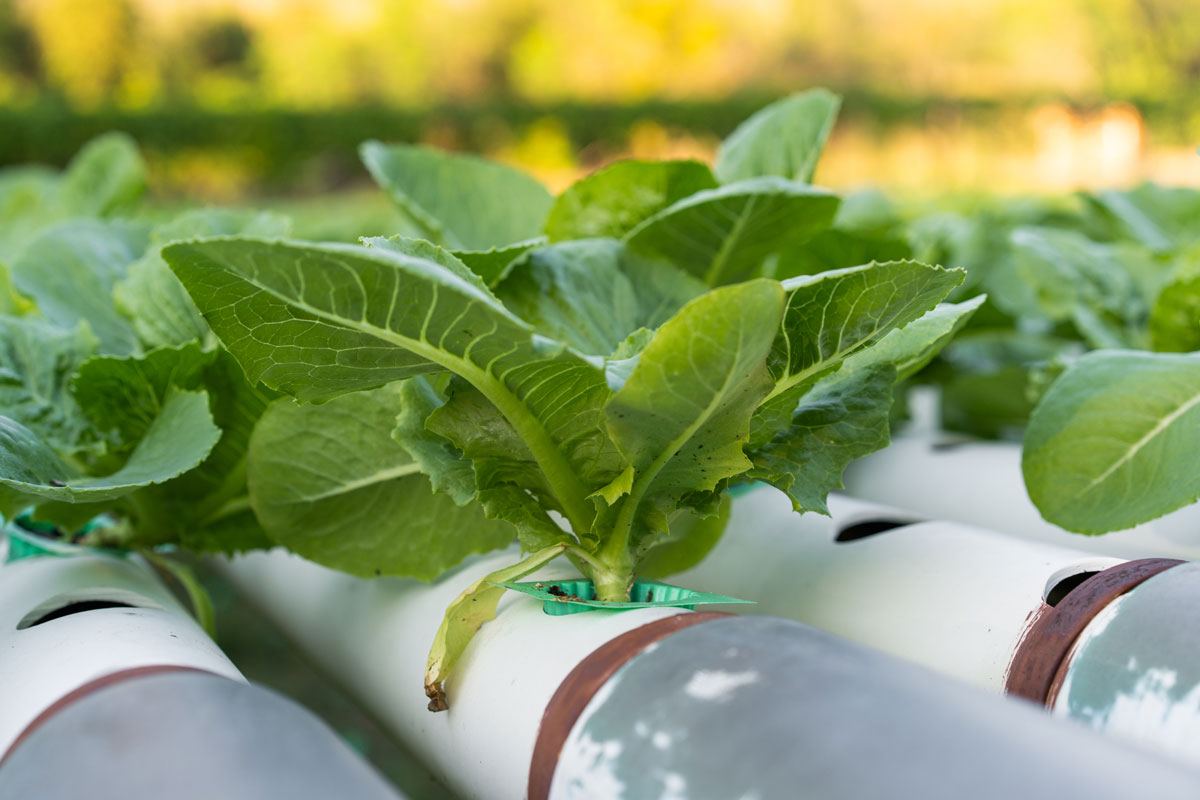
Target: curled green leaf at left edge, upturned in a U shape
178	441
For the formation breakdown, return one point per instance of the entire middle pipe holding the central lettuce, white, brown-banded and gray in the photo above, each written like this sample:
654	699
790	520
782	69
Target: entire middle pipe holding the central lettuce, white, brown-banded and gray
670	703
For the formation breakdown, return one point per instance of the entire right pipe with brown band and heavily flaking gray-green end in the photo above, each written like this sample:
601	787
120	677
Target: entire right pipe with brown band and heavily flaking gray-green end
1109	643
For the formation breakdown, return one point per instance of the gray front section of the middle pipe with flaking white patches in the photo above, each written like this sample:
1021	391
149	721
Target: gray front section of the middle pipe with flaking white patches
767	709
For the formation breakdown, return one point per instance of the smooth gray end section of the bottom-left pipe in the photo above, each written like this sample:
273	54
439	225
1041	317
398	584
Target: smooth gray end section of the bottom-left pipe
187	736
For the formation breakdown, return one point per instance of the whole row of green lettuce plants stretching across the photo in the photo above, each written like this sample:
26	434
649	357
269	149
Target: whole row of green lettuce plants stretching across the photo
585	375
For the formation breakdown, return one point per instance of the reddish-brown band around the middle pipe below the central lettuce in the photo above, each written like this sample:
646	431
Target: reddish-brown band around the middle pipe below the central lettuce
579	688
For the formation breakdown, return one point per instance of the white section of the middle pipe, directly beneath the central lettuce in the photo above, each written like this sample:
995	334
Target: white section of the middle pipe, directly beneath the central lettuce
375	637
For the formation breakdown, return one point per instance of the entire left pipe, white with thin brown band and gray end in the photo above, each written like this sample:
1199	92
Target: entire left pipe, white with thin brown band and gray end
110	690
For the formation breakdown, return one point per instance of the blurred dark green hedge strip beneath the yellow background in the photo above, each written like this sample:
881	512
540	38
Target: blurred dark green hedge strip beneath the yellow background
289	151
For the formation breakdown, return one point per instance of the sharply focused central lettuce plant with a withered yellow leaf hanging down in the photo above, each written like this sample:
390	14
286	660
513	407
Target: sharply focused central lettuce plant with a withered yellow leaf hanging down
587	372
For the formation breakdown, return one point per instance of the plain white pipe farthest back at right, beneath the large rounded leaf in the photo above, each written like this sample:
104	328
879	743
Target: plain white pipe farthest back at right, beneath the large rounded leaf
980	483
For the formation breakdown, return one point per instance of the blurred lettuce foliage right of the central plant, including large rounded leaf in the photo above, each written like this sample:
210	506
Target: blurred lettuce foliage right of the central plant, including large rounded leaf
1108	436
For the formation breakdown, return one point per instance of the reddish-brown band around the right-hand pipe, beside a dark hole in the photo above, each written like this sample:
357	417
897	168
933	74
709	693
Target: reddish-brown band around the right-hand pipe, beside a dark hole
1043	653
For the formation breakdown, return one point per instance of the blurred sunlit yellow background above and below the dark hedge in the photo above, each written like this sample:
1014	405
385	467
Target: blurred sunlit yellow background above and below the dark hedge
1087	80
